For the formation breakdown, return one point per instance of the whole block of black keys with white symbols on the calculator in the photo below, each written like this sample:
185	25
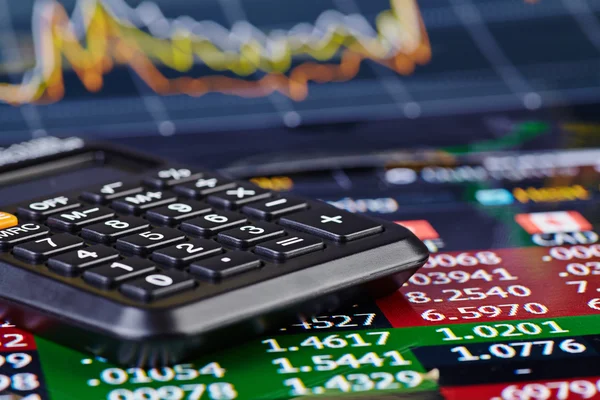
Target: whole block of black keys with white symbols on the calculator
190	230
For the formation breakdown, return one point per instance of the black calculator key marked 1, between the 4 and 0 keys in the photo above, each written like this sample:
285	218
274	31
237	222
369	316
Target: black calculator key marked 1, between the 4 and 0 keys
112	274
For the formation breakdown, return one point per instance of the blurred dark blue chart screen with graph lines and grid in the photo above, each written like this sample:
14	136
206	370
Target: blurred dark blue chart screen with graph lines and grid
108	68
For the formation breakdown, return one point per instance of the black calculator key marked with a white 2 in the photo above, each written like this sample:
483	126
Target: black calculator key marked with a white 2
184	253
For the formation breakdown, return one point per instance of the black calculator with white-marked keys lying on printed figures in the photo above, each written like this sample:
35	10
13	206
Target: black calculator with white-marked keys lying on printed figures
147	262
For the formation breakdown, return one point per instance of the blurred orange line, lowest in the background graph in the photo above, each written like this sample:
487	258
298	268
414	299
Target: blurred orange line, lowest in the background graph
107	46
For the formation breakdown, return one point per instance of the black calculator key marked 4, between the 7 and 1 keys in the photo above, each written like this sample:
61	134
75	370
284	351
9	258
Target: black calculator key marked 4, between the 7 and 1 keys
75	261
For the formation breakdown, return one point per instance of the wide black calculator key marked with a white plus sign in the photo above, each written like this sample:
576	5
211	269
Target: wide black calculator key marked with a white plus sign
333	224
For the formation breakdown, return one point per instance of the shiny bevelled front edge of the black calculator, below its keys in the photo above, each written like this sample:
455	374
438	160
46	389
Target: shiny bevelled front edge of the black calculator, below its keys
180	334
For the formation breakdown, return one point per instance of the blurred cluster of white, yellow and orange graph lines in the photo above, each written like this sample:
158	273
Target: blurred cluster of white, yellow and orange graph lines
102	34
